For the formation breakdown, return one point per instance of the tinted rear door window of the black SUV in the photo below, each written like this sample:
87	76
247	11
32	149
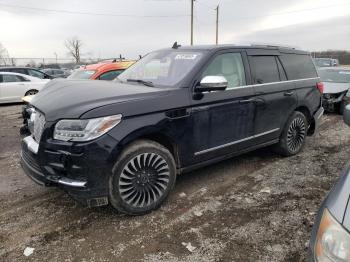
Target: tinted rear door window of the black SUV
264	69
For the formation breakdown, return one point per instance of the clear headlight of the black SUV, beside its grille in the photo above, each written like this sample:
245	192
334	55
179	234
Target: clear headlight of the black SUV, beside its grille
84	129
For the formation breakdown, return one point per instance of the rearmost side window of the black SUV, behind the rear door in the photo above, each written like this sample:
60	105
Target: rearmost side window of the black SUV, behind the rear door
298	66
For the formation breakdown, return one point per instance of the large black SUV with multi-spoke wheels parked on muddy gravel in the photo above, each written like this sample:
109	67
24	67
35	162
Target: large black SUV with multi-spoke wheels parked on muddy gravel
177	109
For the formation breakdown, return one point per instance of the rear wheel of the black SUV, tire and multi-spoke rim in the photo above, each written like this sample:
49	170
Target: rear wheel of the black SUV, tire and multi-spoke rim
293	136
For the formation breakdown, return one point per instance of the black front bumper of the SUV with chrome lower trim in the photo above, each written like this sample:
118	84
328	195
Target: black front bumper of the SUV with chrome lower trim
80	169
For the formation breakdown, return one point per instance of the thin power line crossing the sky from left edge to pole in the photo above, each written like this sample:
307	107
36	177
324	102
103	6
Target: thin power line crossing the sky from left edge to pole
90	13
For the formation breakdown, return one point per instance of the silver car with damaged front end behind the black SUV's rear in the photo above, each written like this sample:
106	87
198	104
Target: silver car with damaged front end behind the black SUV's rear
336	94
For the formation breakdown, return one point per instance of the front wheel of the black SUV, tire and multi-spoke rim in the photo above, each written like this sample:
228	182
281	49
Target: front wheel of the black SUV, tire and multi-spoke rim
142	178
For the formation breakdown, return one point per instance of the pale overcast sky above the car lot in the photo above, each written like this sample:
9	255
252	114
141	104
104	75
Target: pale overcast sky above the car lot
107	28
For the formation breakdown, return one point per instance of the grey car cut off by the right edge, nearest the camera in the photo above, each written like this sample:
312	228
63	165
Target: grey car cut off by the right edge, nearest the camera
330	239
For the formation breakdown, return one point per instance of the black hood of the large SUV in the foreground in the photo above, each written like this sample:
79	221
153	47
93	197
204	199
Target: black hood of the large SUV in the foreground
73	98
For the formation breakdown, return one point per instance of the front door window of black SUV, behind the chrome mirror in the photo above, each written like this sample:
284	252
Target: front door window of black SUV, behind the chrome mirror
230	66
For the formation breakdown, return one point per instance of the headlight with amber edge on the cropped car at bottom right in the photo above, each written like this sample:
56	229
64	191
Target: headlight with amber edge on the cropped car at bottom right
333	241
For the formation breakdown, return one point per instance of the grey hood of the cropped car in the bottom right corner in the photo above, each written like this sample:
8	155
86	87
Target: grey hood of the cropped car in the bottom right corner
337	200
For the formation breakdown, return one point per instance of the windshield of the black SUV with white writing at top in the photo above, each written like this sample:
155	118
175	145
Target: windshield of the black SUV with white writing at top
162	68
